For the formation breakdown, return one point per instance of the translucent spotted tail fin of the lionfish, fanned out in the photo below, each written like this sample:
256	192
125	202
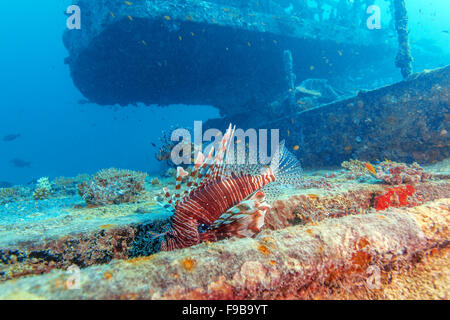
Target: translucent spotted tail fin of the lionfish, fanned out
285	166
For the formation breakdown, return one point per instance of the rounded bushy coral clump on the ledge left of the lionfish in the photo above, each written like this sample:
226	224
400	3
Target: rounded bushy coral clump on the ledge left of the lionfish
112	186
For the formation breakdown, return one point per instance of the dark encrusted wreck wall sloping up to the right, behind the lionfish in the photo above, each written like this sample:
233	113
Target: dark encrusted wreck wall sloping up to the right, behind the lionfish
407	121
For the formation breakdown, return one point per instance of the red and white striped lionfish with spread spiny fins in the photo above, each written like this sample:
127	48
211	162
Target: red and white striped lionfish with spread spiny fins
223	200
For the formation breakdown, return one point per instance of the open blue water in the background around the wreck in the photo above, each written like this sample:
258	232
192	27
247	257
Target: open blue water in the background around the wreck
60	137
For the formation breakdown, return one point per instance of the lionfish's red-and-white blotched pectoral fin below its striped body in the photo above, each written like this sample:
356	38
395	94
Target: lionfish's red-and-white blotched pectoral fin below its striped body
243	220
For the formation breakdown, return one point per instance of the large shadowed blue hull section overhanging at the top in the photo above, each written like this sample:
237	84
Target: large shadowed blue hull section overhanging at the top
226	54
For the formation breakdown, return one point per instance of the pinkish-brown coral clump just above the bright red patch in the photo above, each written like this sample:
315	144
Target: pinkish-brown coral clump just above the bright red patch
397	173
